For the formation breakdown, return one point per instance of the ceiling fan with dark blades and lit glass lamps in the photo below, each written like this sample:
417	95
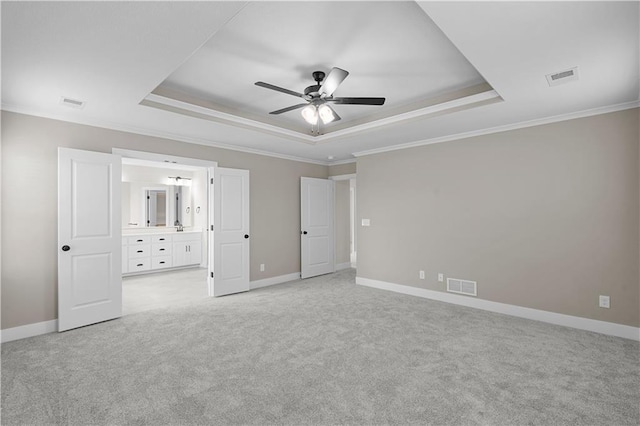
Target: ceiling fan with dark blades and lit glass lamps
319	95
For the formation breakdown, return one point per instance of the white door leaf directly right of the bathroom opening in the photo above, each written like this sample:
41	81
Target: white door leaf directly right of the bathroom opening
231	231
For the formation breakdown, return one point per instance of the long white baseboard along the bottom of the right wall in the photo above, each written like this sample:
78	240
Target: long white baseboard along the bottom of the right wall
603	327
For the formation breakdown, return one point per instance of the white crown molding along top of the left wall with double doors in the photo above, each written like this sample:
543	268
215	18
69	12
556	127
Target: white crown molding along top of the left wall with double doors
104	124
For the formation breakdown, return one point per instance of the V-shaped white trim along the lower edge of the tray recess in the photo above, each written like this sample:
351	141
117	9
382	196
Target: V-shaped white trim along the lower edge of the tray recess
197	111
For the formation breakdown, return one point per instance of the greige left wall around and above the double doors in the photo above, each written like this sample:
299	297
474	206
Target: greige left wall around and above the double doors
29	206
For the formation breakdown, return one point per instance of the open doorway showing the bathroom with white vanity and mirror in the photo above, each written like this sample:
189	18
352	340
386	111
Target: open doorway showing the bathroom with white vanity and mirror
161	267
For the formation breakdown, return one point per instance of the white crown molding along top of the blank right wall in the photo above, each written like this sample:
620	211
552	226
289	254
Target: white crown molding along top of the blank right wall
504	128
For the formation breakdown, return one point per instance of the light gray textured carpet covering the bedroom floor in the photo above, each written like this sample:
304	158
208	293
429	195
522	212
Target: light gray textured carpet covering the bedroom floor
321	351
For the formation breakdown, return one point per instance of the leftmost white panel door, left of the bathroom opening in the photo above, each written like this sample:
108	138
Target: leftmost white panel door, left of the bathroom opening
89	234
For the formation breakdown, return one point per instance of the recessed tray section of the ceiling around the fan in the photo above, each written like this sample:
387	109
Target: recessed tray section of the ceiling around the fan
391	49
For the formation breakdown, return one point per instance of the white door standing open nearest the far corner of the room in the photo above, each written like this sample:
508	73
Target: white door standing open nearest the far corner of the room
317	234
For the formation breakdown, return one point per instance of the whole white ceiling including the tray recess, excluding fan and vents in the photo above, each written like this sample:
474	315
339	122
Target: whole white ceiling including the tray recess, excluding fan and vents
113	55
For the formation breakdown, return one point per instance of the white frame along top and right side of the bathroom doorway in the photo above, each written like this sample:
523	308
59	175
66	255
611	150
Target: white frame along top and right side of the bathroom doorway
187	161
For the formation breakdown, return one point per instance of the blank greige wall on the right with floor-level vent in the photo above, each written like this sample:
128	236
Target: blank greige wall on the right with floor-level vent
545	217
